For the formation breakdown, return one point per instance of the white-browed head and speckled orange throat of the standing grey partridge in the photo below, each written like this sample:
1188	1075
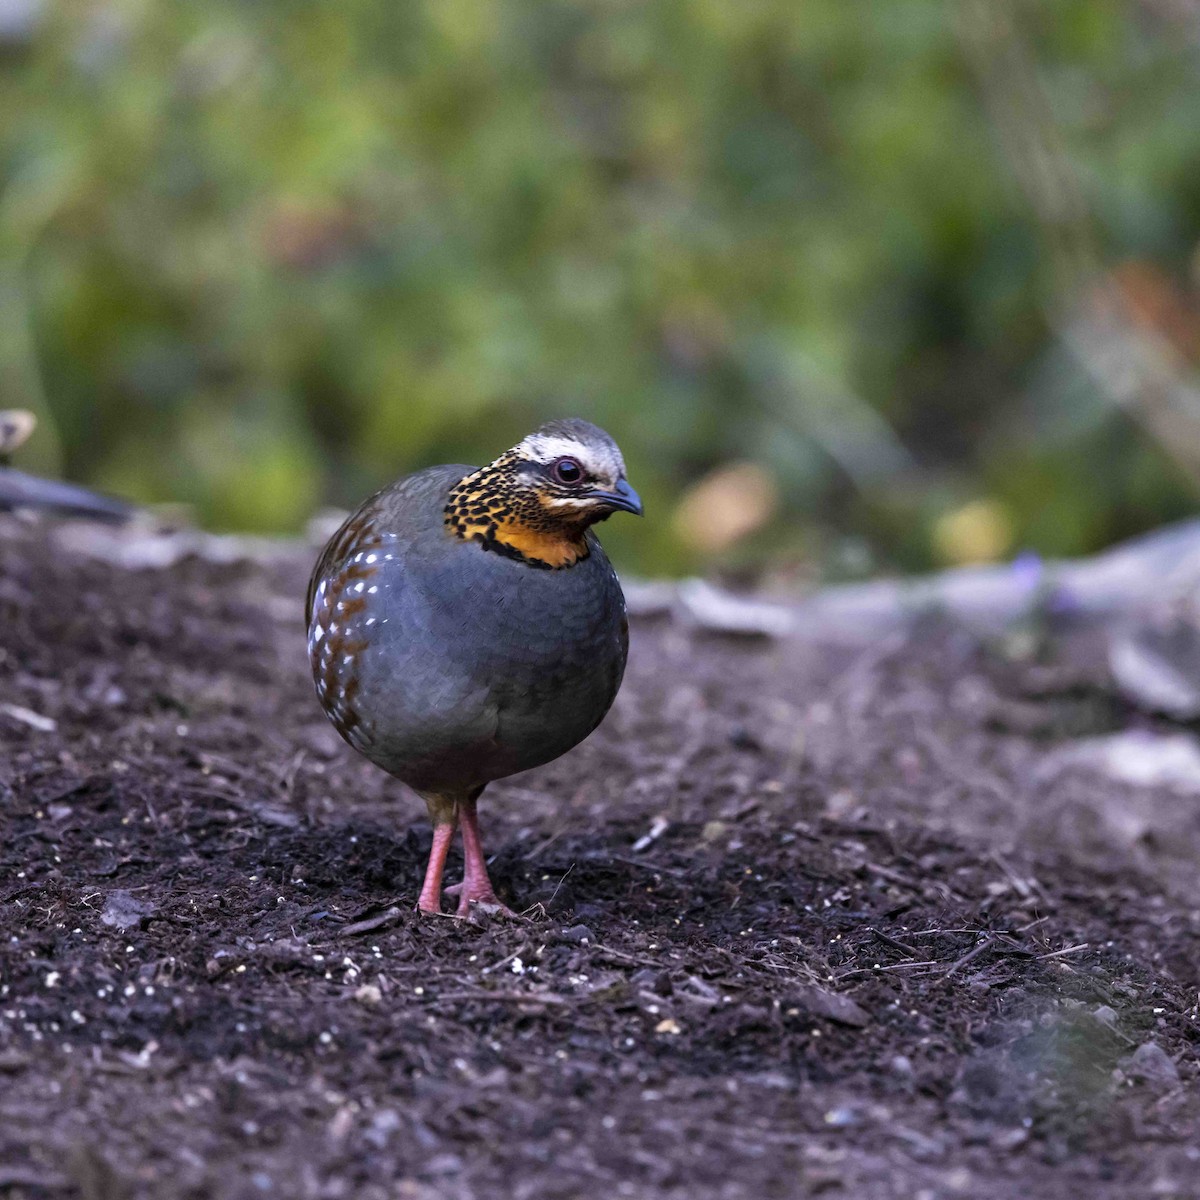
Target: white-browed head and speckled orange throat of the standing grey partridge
538	501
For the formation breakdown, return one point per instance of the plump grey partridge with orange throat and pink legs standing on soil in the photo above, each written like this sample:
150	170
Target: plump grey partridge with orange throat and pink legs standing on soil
465	625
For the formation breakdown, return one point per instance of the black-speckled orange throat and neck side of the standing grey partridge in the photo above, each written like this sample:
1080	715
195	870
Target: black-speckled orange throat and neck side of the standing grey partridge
493	508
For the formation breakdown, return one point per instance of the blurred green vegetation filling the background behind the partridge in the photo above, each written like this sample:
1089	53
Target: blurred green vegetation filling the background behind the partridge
856	286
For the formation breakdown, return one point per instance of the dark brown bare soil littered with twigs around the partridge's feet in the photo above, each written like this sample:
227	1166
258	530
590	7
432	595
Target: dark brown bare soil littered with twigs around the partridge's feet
802	920
